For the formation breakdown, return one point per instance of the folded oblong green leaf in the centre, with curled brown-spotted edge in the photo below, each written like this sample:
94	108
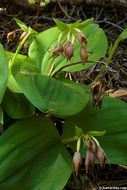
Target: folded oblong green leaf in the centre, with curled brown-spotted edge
50	95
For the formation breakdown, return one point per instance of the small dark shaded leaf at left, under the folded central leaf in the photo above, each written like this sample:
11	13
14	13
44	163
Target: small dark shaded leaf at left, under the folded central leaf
16	105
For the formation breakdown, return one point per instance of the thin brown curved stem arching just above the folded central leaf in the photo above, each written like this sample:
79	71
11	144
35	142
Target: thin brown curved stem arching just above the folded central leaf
76	63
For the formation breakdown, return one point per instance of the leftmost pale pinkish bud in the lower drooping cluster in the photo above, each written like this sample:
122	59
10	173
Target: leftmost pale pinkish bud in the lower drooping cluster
76	162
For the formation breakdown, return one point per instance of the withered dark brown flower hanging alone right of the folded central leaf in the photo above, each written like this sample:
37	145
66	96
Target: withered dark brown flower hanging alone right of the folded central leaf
97	92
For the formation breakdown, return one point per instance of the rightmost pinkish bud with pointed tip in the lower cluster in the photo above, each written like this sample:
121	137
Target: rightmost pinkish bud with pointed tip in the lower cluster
100	154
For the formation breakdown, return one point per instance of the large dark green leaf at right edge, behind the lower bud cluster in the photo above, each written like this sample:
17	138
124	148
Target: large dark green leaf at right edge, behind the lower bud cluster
112	118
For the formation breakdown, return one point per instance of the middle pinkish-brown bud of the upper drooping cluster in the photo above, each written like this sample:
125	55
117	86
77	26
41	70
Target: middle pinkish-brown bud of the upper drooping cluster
68	50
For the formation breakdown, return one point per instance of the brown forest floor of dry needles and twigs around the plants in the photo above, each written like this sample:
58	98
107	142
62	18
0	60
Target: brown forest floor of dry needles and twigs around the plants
113	21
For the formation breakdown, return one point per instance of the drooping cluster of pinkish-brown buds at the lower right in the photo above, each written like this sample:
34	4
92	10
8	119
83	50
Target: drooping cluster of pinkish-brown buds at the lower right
91	153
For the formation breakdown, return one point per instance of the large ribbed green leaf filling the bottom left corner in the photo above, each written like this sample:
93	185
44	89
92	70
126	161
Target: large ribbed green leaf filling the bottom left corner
32	157
